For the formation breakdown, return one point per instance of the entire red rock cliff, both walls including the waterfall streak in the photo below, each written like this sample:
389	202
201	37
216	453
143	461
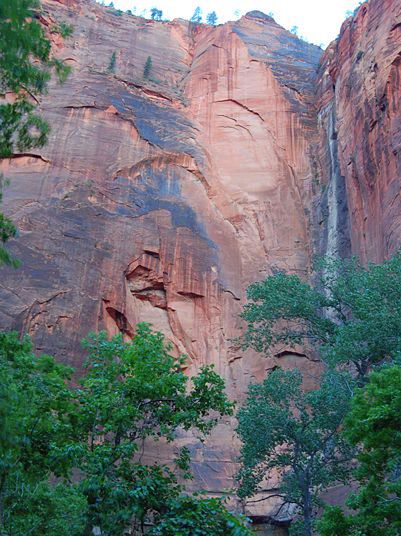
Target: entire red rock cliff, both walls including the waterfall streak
161	199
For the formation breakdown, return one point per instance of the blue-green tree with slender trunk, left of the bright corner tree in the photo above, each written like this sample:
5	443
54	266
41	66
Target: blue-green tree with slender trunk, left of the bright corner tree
283	428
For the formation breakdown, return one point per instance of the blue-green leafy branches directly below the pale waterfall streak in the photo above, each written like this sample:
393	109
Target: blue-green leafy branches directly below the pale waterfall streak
352	316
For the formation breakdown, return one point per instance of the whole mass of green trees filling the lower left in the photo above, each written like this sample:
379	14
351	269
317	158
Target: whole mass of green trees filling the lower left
71	458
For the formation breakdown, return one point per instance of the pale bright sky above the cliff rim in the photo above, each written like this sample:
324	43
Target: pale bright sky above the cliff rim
318	21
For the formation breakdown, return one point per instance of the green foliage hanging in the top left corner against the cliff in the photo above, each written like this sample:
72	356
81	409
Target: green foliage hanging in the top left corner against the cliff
25	69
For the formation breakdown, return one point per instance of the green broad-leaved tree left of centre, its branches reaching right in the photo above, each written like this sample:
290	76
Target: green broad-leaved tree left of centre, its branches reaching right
132	393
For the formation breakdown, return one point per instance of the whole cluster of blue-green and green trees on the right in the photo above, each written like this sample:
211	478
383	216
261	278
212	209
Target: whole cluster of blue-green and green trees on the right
347	429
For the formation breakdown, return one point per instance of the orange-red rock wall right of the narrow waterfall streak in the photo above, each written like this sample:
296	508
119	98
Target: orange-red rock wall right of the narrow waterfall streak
360	75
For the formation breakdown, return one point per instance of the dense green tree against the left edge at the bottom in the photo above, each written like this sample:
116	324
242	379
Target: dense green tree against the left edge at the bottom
36	431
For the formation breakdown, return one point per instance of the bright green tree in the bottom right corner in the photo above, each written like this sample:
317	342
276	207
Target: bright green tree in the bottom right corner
373	425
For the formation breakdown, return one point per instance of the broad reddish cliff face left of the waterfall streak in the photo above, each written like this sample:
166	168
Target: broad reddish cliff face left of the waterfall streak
161	199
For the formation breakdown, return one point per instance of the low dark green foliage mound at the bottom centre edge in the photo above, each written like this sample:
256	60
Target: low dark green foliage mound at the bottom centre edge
199	517
